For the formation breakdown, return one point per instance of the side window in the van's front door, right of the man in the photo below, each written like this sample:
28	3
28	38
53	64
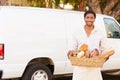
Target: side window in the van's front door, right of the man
112	28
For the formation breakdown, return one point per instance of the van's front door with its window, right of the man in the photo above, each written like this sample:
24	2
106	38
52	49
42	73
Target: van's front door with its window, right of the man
113	35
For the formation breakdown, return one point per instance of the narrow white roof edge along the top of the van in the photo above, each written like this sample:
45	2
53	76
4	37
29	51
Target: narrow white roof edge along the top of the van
47	9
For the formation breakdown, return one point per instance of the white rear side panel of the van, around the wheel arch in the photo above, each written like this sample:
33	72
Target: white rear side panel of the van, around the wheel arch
35	37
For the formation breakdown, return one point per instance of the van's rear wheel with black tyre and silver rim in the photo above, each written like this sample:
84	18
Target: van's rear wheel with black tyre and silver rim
37	72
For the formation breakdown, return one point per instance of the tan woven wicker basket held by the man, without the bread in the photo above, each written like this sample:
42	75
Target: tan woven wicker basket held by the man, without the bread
97	61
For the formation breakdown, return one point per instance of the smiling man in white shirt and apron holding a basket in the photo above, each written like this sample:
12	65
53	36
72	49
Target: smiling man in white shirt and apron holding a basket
94	38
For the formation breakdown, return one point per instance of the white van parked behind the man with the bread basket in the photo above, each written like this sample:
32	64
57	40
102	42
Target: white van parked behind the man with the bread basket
34	41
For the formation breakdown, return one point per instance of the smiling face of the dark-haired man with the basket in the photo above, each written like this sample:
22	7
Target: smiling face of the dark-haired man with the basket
89	19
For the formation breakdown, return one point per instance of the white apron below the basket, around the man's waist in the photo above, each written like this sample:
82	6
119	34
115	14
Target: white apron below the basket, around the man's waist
86	73
